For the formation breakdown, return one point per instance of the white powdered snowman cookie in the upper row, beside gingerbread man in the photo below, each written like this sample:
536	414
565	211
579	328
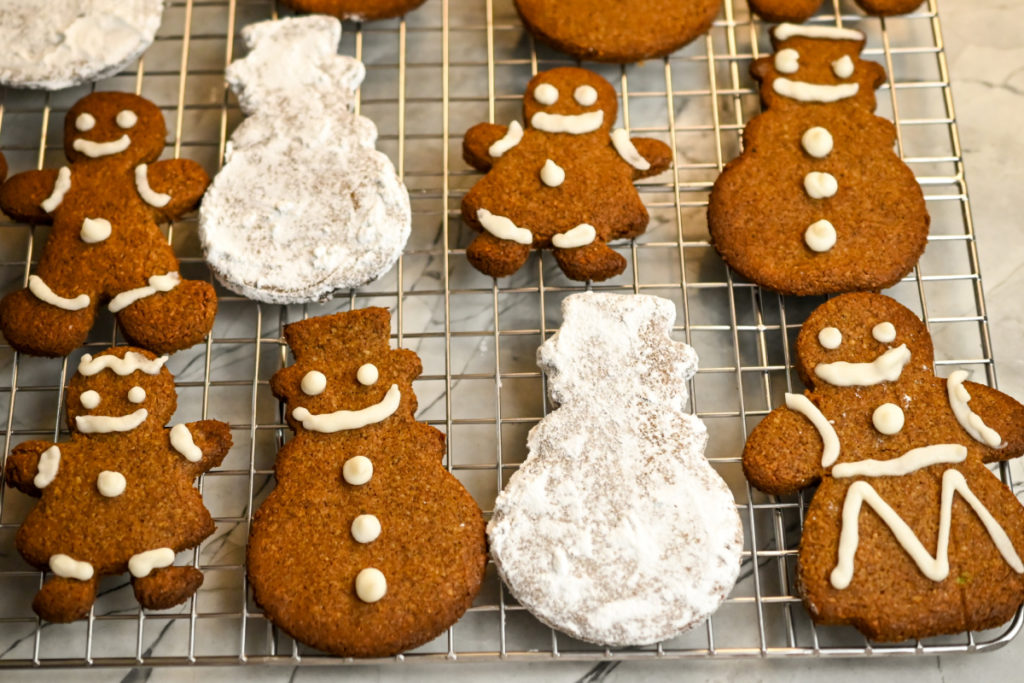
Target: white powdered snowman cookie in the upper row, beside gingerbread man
305	204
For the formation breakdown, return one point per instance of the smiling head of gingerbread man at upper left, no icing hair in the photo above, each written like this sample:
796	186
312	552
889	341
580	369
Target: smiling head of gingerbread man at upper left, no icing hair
114	125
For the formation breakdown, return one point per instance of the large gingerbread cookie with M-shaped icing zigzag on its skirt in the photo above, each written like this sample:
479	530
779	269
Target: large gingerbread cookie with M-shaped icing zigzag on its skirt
910	535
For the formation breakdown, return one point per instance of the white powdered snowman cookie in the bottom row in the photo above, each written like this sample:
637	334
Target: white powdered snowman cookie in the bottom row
617	530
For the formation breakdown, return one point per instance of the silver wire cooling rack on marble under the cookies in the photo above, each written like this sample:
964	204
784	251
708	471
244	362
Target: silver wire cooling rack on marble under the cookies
431	77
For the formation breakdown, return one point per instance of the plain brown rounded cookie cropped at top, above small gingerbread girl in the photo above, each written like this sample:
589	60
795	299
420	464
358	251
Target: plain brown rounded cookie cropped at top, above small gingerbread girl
617	31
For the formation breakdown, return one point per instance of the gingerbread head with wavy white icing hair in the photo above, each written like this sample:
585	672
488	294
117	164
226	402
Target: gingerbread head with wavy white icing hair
122	390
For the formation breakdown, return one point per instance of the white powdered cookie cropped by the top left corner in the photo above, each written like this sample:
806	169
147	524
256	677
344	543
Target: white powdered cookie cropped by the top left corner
56	45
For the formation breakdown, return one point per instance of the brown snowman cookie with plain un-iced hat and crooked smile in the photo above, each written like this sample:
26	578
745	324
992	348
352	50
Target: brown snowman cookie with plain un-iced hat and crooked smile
368	546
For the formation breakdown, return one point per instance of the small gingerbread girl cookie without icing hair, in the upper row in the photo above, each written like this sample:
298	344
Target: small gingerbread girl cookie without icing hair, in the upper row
564	184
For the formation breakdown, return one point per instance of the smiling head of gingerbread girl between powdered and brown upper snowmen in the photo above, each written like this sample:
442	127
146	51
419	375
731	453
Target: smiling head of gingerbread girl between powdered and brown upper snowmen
570	101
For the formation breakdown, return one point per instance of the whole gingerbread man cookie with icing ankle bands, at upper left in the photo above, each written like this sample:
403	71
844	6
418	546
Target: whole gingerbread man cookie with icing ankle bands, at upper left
106	246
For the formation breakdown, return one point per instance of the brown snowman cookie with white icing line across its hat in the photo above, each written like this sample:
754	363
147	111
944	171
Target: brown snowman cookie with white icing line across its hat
819	203
